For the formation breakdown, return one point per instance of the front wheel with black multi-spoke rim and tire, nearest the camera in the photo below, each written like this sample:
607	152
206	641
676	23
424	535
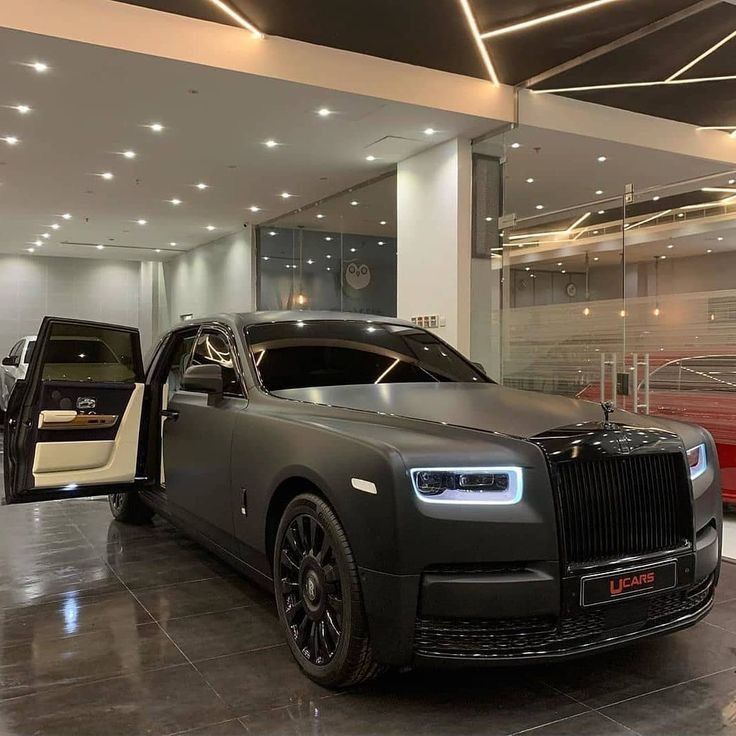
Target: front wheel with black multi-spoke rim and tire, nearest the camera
318	594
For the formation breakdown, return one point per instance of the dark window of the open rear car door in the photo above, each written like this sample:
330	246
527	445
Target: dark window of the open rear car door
76	352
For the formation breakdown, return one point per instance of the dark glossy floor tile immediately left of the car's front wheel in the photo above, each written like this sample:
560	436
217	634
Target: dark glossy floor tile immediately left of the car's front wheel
227	632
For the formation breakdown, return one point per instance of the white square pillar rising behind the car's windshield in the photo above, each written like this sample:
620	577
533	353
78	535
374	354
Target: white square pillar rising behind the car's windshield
433	230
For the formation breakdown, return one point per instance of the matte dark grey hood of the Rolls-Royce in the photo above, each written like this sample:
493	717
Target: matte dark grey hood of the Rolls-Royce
486	407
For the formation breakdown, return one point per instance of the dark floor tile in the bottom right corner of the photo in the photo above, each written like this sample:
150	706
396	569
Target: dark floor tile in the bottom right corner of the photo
699	708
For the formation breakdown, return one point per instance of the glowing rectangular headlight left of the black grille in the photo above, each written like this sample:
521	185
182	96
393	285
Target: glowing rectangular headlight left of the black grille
476	486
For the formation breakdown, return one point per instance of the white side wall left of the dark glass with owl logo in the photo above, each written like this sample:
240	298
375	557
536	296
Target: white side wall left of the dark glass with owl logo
213	278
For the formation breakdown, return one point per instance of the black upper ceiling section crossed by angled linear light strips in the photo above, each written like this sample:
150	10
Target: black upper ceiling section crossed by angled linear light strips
607	42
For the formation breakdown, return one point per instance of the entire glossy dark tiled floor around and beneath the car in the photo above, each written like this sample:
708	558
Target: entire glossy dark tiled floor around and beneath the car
109	629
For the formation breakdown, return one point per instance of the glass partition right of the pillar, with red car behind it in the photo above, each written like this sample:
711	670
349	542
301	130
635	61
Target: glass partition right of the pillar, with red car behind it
628	296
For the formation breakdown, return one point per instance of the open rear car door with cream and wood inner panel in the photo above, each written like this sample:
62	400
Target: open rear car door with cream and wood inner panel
75	426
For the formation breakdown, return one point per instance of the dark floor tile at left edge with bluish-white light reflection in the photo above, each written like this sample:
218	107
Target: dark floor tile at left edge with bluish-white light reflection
70	616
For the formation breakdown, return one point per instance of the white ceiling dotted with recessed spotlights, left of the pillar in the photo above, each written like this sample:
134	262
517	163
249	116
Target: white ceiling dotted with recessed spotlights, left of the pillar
65	154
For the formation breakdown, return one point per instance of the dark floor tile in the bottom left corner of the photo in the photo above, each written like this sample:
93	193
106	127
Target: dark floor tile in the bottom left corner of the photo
152	703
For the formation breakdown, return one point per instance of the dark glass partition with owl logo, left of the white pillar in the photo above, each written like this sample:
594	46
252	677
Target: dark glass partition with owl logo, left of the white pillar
336	254
